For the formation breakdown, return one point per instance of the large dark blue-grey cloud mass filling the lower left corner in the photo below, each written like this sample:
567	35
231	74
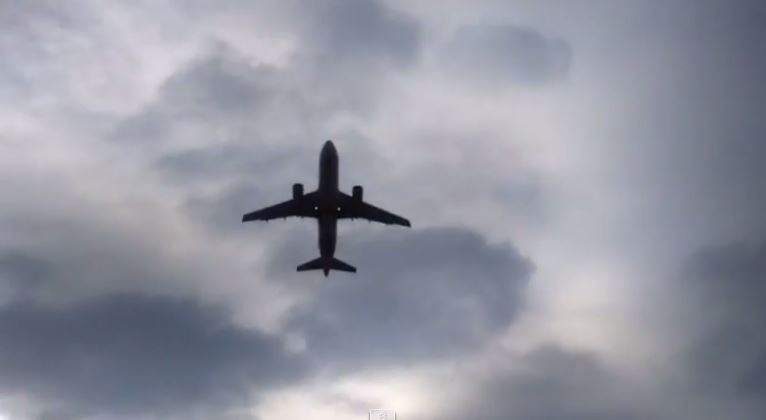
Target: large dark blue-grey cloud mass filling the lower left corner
88	324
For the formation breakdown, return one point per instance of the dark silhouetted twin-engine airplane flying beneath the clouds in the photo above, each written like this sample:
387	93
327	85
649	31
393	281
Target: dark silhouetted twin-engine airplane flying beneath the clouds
327	204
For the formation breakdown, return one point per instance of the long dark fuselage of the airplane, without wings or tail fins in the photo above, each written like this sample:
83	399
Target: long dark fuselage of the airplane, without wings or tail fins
328	201
